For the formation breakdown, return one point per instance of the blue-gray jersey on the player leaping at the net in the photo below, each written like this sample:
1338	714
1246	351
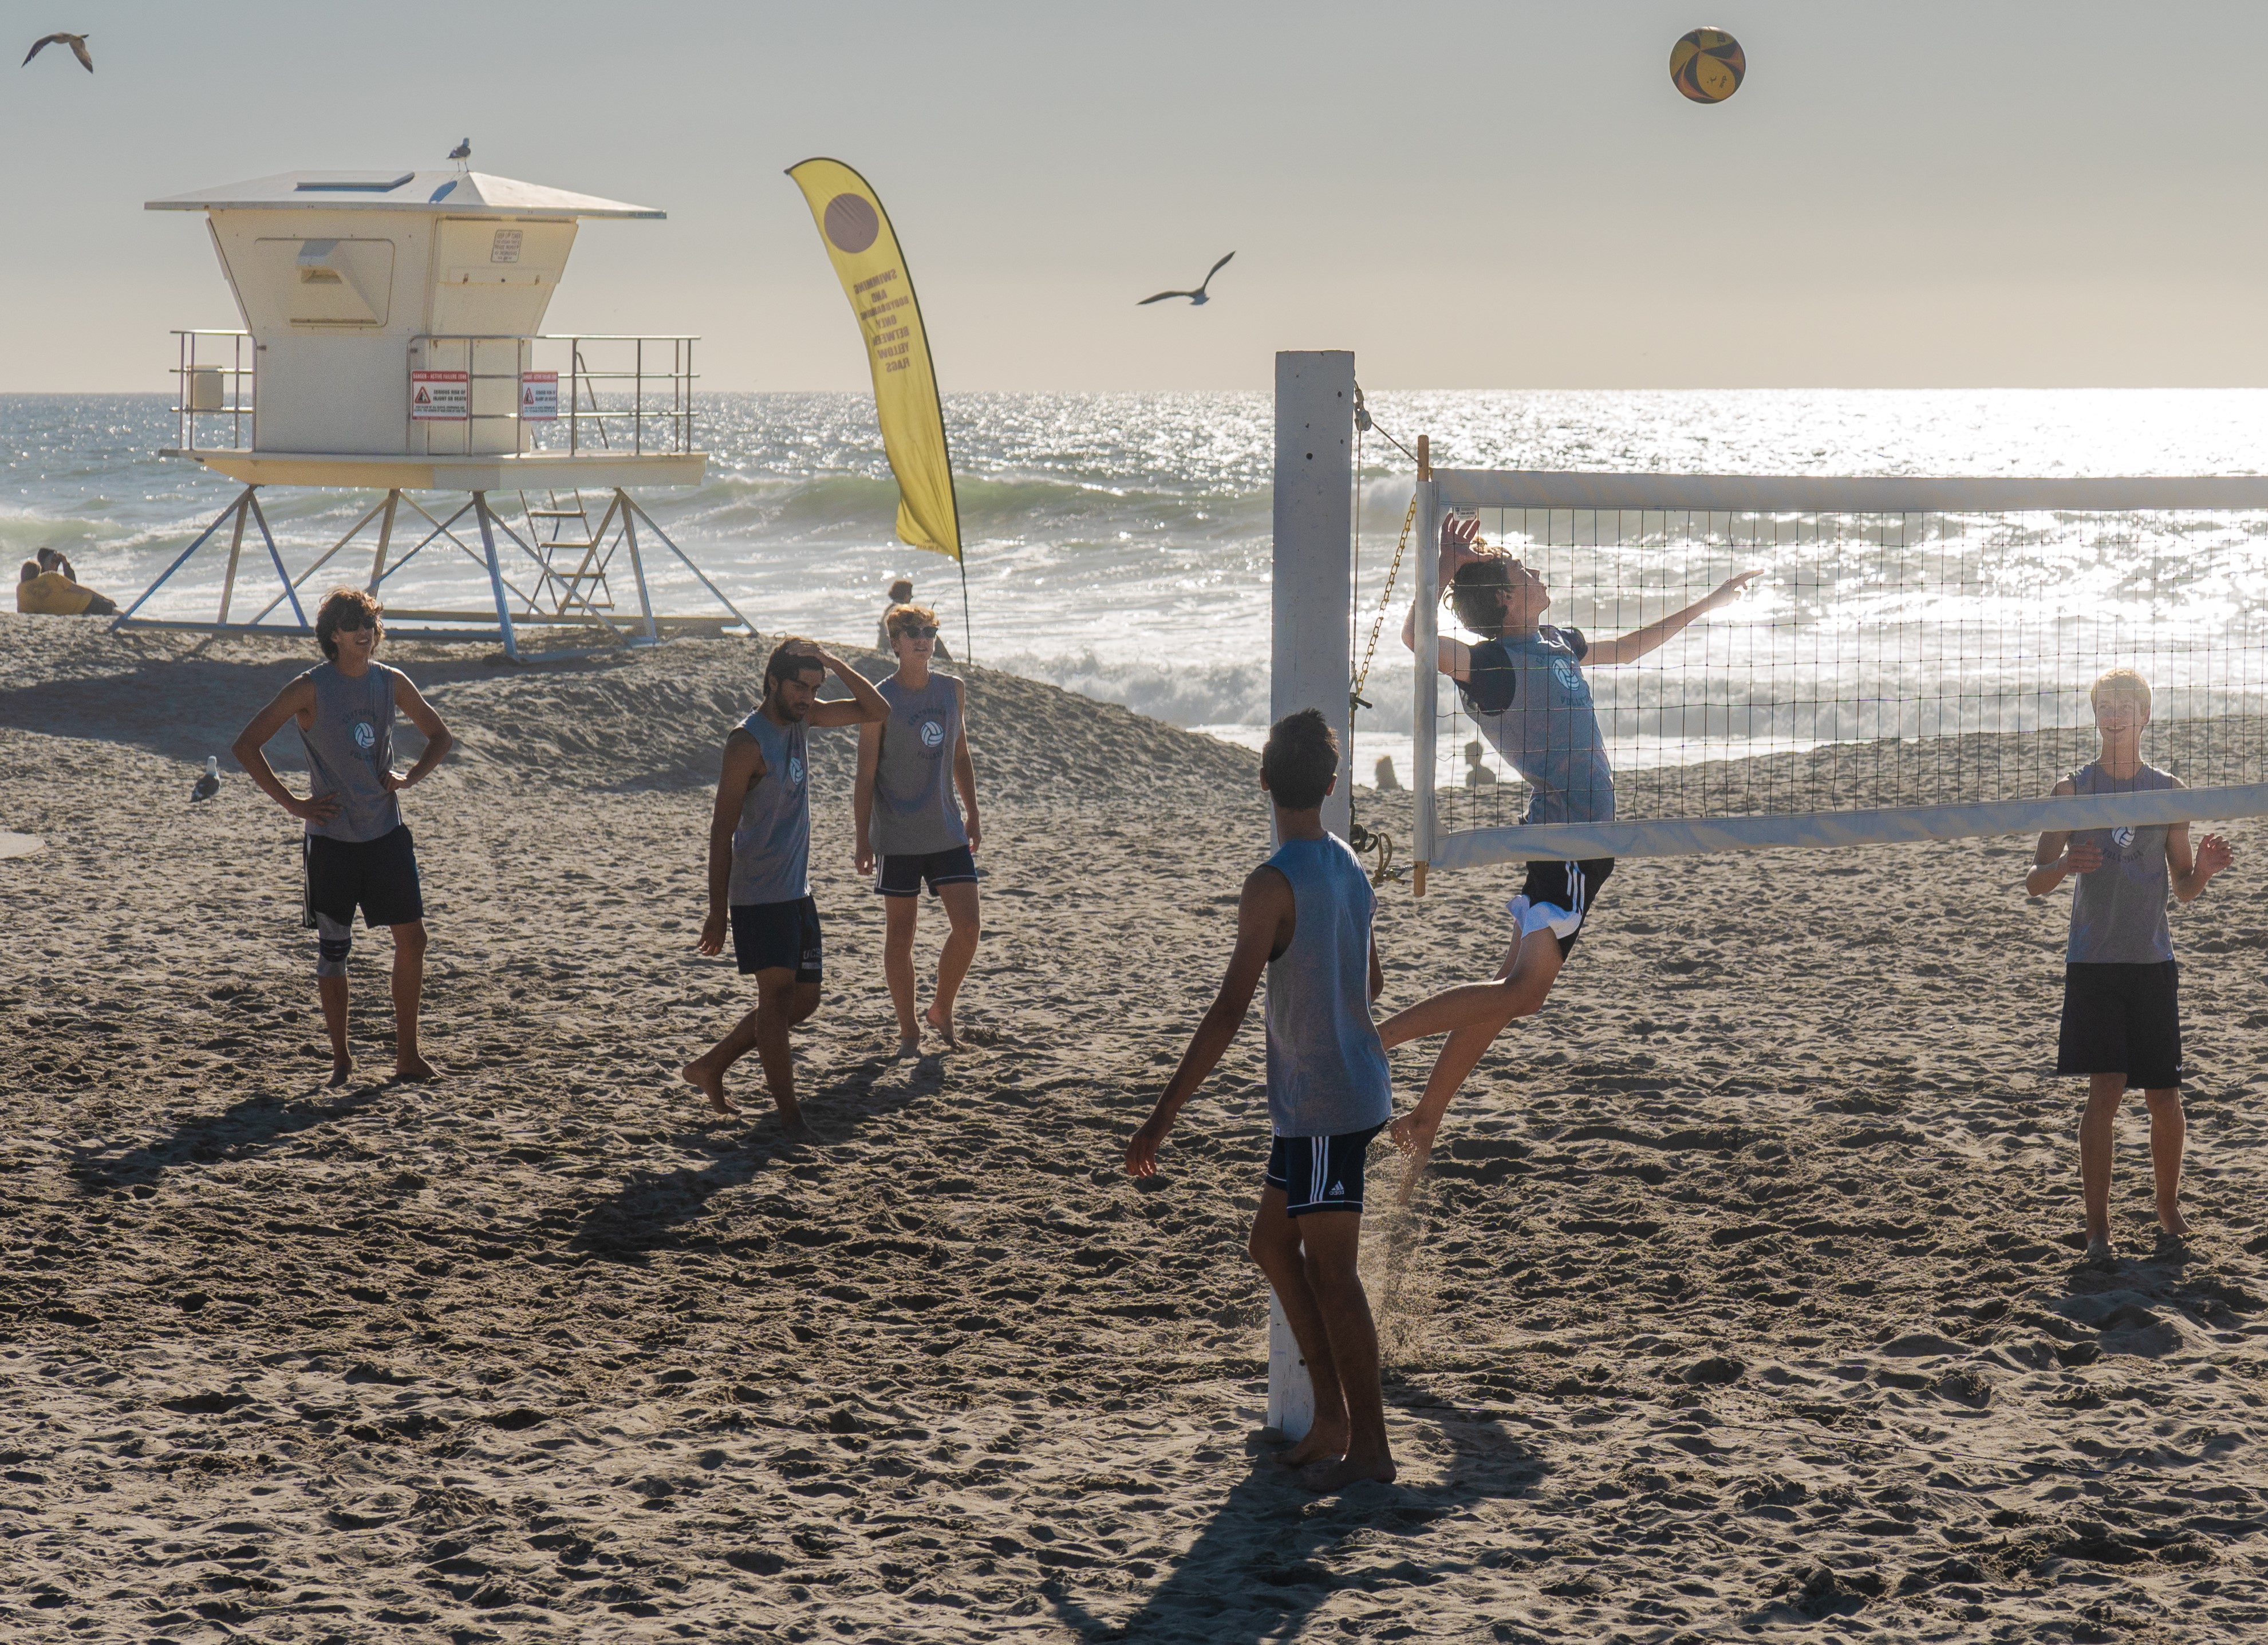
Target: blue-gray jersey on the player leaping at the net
1530	698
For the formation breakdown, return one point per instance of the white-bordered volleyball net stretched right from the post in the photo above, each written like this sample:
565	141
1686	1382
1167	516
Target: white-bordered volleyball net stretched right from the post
1913	659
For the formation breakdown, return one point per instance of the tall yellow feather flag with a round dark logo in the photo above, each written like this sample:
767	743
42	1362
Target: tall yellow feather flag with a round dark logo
881	292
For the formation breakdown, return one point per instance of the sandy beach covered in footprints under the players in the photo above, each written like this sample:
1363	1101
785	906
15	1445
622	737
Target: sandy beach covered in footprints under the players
1745	1299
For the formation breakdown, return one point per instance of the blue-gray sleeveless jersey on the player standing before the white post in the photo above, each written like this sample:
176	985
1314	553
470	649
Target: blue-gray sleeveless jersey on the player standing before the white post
1326	1063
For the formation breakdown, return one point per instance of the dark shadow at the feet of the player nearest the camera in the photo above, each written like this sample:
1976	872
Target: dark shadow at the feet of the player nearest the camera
1260	1567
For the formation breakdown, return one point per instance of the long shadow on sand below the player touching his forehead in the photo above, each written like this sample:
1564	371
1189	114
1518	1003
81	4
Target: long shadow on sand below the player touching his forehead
652	1208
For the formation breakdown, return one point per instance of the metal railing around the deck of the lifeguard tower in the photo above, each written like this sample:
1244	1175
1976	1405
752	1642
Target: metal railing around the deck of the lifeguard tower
584	394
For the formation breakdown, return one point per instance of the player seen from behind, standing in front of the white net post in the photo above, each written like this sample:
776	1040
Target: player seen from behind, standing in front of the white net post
1305	916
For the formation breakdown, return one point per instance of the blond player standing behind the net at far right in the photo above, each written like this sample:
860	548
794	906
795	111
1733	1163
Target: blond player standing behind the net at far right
2122	1020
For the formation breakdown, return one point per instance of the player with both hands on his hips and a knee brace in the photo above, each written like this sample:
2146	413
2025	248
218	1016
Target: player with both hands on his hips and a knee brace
357	850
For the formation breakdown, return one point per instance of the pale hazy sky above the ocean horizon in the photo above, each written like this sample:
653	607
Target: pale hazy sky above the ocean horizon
1469	196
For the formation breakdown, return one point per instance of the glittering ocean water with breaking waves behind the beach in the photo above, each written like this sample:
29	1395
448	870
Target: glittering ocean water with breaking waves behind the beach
1119	543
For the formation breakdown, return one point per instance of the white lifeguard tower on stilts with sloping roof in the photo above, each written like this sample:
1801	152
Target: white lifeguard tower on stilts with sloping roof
393	341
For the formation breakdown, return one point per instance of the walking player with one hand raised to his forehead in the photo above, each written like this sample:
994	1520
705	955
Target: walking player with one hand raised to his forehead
761	854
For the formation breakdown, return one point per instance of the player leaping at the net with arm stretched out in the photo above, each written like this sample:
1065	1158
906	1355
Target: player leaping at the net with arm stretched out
1527	695
